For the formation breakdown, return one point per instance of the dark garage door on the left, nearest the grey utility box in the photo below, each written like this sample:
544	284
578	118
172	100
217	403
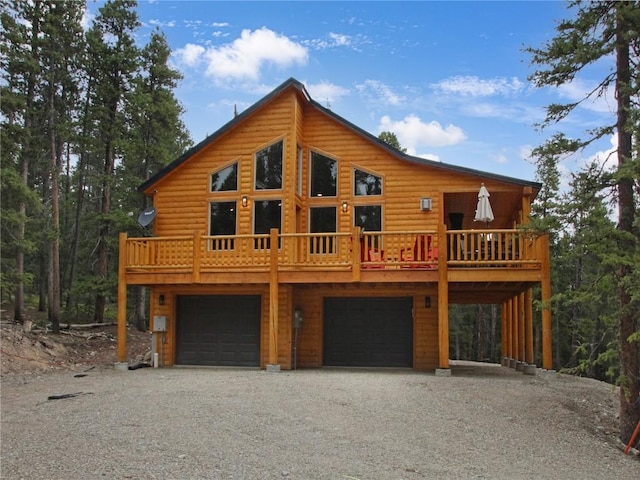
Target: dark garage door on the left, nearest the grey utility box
221	330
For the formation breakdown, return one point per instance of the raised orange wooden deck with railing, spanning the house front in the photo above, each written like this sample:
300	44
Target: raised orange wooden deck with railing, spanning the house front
469	255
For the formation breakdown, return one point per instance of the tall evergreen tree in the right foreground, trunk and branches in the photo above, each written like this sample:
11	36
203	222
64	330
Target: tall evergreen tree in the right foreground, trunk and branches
599	30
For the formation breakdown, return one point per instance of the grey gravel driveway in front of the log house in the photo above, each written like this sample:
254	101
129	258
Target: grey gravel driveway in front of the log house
484	422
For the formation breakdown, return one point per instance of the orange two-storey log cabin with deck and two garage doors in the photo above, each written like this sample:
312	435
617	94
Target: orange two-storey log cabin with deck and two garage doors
291	238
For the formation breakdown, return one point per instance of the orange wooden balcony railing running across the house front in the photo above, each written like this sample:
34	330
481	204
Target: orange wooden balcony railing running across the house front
334	251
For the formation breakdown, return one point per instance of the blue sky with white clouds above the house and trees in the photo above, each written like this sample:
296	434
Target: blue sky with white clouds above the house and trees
448	78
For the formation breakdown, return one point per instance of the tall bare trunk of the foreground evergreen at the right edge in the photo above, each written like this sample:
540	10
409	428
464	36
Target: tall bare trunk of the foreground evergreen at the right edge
629	370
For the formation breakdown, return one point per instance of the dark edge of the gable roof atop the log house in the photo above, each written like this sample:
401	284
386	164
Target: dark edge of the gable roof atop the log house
293	83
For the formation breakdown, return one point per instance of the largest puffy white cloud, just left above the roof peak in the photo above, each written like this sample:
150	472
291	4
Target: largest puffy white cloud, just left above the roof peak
244	57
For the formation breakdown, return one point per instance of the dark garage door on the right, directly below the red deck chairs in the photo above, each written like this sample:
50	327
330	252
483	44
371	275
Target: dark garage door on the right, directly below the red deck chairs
368	332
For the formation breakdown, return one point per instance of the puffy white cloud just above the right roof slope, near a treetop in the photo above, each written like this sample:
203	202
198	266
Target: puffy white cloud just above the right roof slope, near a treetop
412	132
